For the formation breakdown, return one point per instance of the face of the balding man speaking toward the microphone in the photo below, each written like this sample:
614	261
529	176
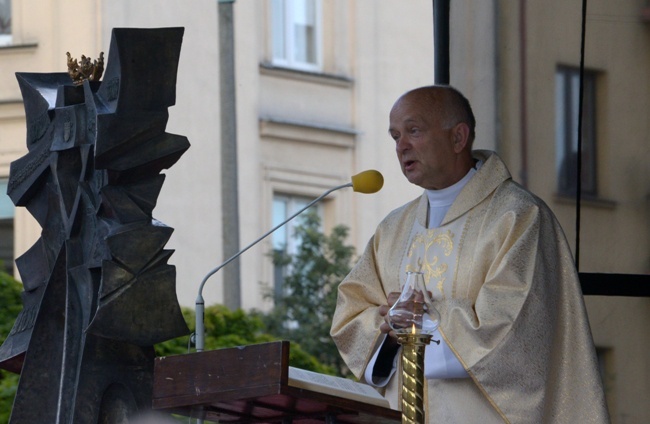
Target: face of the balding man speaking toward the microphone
425	150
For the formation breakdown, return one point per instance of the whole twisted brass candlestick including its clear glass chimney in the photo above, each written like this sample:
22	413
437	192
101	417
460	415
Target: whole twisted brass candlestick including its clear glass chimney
414	319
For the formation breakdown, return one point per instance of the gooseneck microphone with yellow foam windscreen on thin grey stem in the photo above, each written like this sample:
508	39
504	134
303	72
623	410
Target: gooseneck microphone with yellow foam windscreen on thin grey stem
367	182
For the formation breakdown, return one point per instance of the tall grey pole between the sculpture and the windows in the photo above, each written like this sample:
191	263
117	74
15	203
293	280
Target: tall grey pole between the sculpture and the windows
229	184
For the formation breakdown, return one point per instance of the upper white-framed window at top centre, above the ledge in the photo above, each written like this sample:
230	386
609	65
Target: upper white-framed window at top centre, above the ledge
296	33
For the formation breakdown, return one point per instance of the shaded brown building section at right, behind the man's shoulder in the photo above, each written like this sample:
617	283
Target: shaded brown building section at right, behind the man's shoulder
539	68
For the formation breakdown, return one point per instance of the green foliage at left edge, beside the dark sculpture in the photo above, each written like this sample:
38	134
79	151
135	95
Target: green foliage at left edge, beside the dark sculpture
10	291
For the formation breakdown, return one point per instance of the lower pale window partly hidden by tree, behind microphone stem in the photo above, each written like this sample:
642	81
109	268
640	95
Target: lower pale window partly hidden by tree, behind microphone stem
284	239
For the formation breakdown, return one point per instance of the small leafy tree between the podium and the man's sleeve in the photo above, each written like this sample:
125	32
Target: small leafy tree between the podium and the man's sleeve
304	314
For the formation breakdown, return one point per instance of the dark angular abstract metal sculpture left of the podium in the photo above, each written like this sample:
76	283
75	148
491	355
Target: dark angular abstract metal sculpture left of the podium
98	291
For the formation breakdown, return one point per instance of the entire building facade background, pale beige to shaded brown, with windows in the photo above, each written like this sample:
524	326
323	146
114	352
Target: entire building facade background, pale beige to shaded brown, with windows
314	81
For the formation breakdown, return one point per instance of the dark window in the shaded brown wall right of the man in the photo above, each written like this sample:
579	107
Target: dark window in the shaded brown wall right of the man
567	98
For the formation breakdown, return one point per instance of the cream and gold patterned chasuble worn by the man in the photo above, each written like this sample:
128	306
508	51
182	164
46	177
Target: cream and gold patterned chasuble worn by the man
503	279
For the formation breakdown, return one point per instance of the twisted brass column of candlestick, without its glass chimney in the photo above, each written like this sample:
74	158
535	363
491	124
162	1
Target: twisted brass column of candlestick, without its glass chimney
413	345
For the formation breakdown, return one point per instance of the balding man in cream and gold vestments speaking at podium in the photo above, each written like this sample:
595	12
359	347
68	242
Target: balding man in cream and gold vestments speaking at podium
515	344
